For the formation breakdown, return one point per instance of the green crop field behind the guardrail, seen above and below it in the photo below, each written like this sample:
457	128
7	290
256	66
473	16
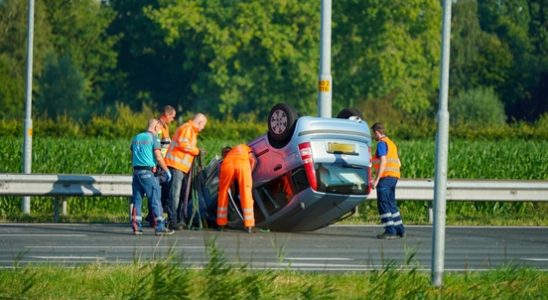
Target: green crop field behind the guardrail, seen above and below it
505	159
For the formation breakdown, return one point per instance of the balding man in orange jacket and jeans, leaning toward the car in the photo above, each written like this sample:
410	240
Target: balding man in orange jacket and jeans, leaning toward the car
179	158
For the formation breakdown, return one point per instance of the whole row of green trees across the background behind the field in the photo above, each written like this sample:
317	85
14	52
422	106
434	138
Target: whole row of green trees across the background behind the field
234	57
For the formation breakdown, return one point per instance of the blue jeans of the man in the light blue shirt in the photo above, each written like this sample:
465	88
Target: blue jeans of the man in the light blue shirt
145	183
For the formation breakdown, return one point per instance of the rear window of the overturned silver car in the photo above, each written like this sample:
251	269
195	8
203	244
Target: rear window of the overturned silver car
342	178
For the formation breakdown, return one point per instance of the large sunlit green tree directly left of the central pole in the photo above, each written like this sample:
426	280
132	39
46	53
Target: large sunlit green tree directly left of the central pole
247	55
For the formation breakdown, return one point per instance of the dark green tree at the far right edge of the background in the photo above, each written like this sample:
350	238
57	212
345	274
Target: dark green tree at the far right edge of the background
515	24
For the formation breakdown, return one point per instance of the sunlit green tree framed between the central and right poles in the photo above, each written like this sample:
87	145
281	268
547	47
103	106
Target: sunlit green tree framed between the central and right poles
386	50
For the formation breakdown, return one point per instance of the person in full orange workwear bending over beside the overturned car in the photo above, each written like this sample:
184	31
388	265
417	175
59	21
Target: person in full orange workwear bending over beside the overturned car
237	165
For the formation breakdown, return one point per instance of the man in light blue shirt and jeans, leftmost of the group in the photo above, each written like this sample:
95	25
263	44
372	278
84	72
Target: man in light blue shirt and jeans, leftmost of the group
145	155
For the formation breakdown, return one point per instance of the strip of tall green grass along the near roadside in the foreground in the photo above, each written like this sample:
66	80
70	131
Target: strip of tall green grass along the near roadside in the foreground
166	278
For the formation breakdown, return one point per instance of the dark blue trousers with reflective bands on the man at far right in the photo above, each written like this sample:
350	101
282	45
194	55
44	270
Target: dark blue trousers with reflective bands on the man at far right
387	206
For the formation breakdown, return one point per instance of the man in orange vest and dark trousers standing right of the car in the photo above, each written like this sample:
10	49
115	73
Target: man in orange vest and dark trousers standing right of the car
386	163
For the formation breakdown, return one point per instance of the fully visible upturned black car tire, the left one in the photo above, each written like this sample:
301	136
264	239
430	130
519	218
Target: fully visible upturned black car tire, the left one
281	124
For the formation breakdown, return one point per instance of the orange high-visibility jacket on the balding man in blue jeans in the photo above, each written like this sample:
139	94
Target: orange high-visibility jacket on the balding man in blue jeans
182	149
